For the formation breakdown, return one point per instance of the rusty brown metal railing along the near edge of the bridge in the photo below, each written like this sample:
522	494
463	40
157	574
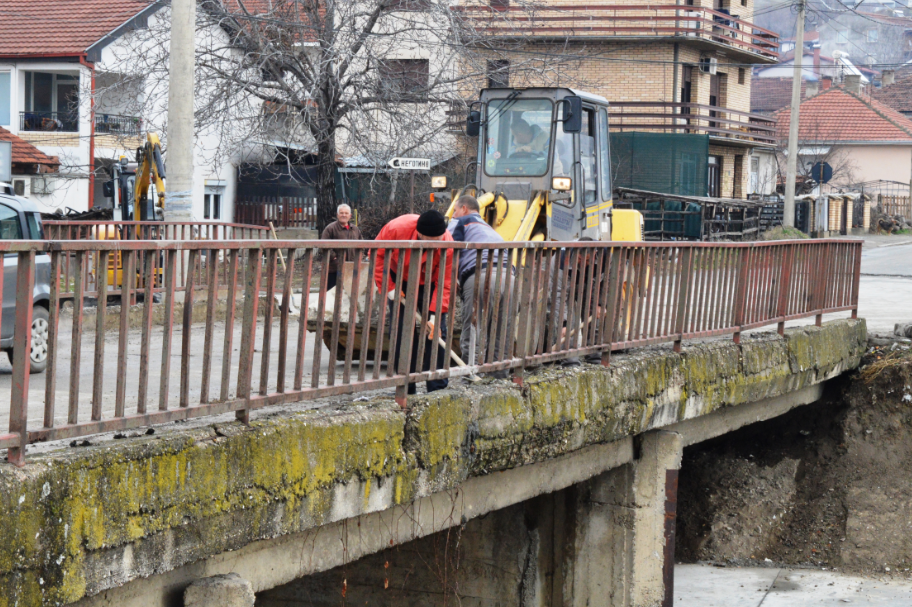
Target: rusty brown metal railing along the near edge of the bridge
258	346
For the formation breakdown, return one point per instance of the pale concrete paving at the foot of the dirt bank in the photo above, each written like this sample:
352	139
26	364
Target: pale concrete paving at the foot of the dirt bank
708	586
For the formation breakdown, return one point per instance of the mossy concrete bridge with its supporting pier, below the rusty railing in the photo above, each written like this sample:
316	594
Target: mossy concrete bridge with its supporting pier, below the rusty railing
576	469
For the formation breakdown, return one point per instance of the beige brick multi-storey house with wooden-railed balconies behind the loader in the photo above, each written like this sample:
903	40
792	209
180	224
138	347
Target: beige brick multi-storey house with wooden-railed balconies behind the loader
666	68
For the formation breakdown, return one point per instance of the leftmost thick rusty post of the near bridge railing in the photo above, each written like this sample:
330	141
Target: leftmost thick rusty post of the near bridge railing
22	341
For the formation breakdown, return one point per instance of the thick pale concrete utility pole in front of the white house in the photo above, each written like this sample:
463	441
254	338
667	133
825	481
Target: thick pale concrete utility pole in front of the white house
179	169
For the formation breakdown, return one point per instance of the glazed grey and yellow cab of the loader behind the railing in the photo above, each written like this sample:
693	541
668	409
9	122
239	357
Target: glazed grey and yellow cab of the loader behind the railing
543	154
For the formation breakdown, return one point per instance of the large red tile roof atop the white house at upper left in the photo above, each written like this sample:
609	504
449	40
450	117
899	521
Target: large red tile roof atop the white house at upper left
60	27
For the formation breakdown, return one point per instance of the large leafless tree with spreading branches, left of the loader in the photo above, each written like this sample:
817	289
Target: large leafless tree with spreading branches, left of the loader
368	78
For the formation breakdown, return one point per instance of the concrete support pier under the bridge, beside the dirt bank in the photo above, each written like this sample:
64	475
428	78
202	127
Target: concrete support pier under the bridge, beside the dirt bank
622	551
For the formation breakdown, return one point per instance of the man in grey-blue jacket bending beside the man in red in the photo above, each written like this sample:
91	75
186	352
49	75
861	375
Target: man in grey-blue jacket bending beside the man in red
469	226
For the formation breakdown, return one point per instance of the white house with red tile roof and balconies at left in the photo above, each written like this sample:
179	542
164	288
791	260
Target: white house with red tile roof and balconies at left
70	88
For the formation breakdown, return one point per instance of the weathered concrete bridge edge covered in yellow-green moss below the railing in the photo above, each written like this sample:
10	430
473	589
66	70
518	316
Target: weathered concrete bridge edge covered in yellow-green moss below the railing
72	517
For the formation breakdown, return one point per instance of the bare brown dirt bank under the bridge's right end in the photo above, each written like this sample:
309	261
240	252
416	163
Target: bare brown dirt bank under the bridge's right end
828	484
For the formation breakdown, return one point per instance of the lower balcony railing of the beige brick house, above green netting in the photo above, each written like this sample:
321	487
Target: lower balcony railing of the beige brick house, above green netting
717	122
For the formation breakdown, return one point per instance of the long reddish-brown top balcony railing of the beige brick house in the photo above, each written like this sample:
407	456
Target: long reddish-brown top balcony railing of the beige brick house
622	21
